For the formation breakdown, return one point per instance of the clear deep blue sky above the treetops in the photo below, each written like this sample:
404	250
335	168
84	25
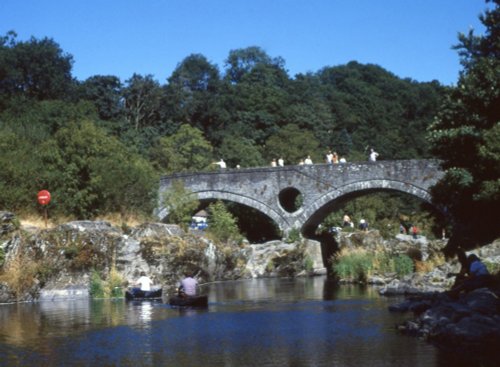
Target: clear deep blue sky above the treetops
410	38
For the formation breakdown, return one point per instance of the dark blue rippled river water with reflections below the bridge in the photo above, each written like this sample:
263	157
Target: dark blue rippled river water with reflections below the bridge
260	322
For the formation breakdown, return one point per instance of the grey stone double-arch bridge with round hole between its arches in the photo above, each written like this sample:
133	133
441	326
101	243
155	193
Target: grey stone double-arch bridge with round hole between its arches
272	190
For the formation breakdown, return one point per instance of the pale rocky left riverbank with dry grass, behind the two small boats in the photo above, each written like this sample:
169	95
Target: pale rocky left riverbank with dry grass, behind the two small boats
63	262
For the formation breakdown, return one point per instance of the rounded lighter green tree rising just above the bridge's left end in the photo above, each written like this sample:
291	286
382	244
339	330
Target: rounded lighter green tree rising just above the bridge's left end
186	150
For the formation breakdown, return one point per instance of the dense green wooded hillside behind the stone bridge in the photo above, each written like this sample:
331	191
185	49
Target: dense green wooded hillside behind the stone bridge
100	144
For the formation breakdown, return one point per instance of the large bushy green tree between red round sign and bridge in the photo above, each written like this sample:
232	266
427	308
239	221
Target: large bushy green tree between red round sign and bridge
91	173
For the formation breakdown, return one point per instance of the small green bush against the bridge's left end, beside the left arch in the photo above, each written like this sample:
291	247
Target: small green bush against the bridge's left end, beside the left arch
180	204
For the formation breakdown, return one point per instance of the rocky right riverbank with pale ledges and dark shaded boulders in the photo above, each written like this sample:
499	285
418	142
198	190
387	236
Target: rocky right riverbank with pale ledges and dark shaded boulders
469	322
